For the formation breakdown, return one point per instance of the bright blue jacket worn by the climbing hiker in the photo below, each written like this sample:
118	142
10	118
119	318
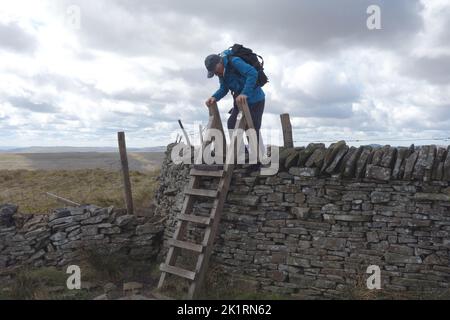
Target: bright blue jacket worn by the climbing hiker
240	80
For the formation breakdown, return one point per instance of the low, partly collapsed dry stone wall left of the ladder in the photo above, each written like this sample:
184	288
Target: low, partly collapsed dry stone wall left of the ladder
61	237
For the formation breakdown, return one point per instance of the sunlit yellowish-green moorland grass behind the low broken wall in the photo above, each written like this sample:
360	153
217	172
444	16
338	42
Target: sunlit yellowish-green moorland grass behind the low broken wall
100	187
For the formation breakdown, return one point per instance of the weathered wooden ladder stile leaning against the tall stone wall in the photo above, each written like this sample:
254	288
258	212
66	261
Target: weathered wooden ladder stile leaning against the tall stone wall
224	173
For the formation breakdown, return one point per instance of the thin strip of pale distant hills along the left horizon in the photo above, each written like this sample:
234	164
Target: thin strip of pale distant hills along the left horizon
76	149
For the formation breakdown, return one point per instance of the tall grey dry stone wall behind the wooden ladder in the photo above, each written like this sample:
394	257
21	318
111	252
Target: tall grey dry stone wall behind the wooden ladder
314	228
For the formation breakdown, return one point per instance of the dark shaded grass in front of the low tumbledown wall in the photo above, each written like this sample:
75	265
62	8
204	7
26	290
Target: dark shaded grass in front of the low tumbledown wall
96	267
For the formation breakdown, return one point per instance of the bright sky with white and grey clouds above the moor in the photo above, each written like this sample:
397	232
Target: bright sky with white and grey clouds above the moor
137	66
